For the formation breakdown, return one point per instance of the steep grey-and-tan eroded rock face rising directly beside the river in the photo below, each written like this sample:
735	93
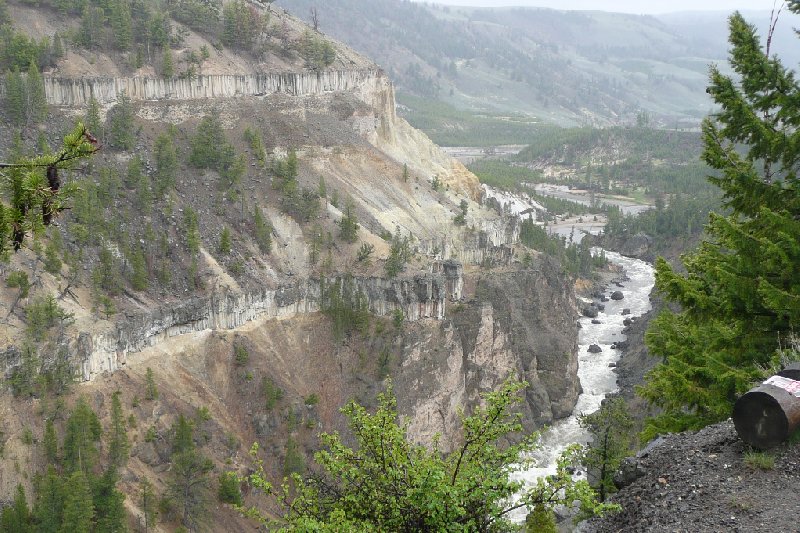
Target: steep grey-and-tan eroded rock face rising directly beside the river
519	323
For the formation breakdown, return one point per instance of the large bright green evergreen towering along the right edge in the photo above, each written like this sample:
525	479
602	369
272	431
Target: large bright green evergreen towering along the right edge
740	296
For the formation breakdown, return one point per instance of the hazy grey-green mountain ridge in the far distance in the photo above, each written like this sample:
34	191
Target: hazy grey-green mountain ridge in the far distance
564	67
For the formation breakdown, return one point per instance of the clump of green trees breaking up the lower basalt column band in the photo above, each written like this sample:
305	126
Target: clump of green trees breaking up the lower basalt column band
346	306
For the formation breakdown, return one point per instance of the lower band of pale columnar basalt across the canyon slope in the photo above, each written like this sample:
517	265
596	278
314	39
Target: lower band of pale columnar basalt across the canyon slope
419	297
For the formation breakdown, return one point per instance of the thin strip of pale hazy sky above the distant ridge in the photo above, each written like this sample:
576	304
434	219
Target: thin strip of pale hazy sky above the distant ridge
626	6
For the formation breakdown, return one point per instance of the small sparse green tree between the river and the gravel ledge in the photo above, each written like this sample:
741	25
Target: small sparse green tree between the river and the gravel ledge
610	427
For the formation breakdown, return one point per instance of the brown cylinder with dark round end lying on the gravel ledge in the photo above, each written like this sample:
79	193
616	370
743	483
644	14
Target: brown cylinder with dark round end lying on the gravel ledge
767	415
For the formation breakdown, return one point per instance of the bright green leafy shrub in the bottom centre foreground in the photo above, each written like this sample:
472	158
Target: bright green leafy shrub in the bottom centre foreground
388	483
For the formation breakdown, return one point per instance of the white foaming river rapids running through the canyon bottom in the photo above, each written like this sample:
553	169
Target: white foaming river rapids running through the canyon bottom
598	379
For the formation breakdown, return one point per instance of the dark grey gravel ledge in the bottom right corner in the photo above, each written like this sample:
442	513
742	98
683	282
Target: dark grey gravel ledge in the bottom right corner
699	482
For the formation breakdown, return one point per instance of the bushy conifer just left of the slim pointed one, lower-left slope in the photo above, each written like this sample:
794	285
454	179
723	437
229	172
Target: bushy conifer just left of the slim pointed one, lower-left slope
83	431
